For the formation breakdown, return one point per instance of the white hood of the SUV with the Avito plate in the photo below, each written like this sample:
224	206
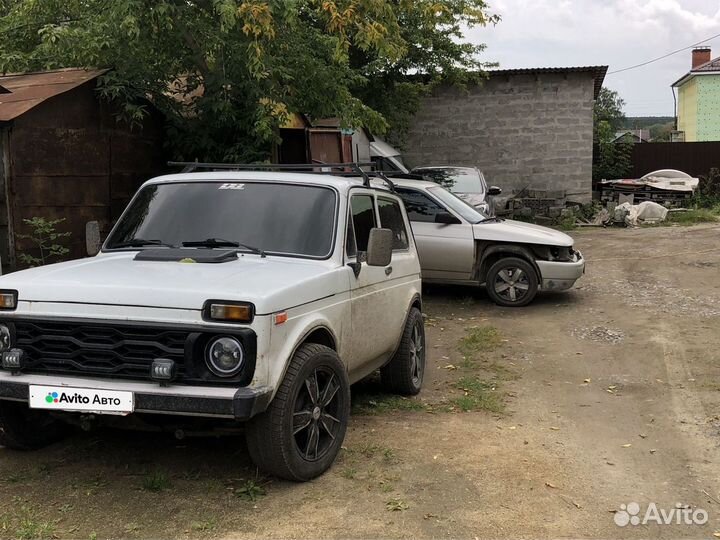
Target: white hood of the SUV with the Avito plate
271	283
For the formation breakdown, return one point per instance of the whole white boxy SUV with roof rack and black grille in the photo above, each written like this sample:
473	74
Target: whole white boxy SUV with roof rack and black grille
229	296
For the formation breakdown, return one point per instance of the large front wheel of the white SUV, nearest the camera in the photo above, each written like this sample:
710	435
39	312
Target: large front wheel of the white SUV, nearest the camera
298	437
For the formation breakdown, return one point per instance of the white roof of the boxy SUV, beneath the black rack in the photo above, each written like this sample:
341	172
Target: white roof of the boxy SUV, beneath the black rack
342	183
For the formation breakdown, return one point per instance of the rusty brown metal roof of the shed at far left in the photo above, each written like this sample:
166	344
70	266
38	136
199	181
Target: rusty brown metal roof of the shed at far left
27	90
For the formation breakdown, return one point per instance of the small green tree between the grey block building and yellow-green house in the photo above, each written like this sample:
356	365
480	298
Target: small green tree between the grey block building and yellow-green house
611	160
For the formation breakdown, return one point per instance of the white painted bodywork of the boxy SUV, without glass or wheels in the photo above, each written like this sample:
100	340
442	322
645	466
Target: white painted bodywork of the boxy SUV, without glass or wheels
339	301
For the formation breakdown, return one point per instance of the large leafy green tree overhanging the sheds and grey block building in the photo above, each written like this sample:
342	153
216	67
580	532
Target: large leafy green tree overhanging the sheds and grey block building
228	73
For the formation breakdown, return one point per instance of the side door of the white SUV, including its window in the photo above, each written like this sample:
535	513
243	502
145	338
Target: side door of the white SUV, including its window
372	339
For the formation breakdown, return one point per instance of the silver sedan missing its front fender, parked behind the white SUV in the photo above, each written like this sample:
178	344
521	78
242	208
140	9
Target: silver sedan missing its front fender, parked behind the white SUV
458	244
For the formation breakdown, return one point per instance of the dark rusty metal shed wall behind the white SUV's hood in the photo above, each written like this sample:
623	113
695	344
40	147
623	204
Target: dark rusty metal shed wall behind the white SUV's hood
71	158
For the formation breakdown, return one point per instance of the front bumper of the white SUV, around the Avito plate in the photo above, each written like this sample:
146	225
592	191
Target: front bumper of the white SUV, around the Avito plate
208	401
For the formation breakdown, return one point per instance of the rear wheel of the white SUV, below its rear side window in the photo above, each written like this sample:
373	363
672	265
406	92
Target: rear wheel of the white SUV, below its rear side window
404	373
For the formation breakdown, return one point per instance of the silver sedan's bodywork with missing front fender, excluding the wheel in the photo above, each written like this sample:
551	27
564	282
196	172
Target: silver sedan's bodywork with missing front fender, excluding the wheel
458	252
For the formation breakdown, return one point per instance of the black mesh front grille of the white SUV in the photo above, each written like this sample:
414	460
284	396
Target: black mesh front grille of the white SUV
117	350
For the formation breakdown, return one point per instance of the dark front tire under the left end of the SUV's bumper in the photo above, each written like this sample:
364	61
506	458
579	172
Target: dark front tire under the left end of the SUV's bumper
22	428
